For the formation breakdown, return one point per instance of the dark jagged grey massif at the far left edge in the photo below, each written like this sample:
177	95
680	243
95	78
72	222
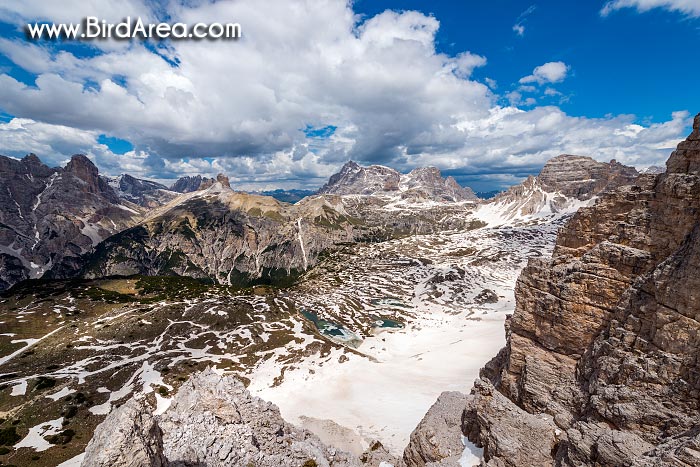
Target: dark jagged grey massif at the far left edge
53	215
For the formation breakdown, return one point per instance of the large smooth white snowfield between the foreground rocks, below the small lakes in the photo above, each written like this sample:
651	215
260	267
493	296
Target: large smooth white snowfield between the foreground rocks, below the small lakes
412	367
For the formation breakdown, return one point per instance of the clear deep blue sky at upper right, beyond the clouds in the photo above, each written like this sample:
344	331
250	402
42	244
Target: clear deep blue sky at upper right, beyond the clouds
646	64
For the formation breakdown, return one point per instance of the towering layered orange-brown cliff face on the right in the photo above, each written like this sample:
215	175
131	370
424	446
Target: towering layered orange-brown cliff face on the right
601	365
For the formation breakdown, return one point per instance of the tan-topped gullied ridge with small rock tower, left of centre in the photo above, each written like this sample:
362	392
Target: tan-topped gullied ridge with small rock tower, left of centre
228	237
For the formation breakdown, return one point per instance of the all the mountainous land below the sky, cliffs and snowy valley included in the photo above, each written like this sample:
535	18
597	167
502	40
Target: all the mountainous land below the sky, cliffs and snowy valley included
351	309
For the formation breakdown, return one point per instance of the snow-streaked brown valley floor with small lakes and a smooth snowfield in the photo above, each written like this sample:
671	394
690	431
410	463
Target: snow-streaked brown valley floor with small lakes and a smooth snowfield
358	350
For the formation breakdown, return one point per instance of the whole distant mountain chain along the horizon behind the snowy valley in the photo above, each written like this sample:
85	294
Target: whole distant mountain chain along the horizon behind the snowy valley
67	222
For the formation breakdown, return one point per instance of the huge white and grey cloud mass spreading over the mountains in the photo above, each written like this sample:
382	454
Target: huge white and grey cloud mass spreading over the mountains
245	107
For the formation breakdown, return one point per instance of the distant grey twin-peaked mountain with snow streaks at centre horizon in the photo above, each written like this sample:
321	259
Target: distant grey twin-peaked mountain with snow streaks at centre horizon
425	183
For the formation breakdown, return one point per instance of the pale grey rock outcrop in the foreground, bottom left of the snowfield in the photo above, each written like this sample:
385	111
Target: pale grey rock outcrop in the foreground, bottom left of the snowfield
214	421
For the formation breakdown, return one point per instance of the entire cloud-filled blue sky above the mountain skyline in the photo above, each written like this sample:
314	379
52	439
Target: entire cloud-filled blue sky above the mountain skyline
486	91
